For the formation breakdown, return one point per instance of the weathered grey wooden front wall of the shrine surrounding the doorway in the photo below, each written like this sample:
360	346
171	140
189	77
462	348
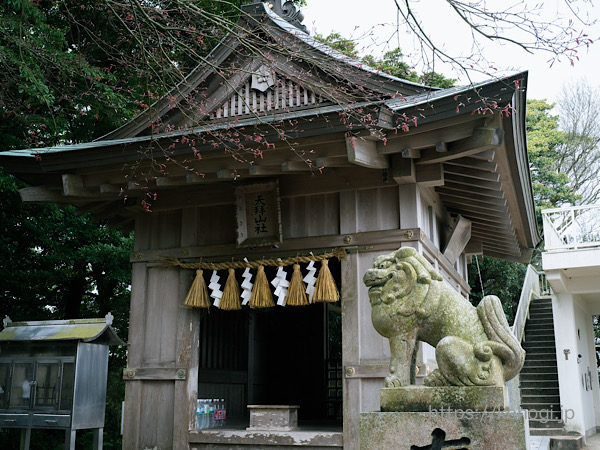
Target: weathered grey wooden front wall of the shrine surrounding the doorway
165	336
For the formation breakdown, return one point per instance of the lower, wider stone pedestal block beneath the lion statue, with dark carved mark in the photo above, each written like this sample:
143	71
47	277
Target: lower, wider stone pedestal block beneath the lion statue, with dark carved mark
447	428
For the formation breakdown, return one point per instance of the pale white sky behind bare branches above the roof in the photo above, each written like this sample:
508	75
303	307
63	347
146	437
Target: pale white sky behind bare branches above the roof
373	23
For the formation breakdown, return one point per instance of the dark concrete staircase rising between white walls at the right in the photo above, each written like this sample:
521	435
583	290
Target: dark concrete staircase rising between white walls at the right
539	377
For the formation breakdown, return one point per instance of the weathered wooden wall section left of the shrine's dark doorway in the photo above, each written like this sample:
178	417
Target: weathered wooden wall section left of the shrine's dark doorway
161	372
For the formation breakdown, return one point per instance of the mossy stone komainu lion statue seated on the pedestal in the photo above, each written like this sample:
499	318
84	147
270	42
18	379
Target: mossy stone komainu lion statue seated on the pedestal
410	302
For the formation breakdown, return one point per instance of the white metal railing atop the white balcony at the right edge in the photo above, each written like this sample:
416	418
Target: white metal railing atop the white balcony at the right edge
572	227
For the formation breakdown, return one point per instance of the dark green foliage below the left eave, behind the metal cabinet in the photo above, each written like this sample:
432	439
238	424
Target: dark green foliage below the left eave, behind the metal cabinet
55	265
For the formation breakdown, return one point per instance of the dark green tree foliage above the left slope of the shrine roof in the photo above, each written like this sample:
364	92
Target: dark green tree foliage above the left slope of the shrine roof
53	86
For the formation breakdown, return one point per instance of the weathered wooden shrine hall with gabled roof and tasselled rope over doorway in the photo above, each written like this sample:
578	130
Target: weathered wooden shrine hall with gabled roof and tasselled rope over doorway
295	156
